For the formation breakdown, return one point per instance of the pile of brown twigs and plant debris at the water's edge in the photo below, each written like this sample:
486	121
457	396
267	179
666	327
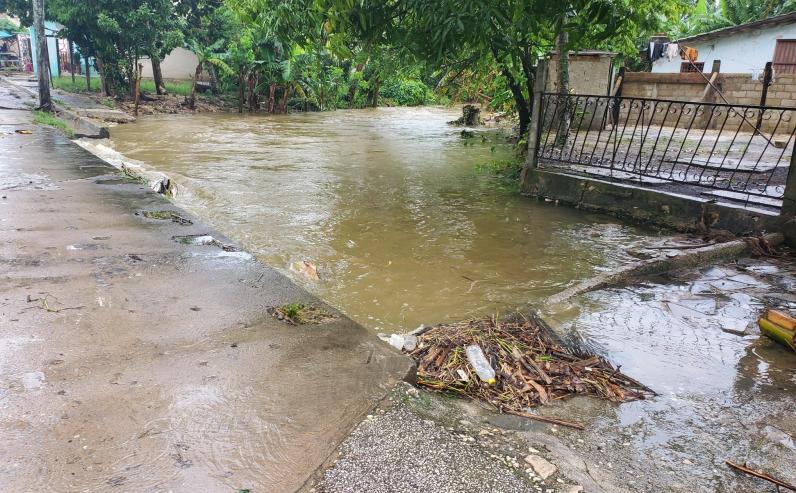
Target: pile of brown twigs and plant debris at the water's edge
530	366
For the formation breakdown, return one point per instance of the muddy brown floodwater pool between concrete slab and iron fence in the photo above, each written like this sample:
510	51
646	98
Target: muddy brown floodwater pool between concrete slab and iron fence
398	213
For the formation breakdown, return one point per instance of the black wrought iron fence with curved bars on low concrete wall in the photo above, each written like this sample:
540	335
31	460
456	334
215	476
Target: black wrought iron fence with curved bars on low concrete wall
740	153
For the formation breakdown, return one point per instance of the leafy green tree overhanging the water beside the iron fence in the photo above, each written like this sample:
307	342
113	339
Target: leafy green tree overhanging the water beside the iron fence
512	35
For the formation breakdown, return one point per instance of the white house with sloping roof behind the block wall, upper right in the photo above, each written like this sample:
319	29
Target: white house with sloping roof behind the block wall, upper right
742	49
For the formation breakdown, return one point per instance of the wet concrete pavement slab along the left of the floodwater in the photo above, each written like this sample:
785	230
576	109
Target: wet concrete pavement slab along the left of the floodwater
134	362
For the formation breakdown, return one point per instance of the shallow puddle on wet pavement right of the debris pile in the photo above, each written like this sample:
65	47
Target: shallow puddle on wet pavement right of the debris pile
725	392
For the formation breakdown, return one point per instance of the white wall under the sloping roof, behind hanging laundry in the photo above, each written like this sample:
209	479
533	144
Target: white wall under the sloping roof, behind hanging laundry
739	53
